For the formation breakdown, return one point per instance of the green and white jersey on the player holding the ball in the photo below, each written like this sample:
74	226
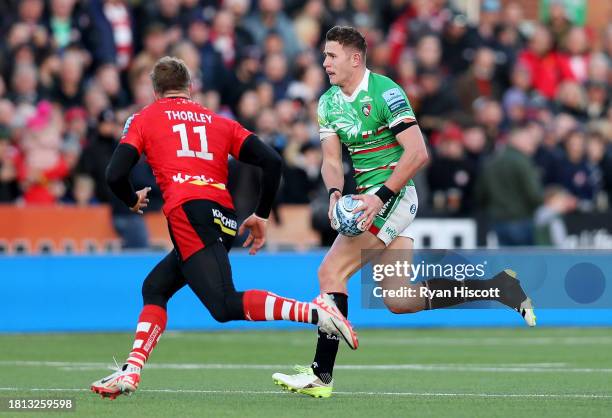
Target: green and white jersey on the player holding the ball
363	122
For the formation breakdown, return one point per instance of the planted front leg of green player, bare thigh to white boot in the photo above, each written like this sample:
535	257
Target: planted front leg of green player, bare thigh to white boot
342	260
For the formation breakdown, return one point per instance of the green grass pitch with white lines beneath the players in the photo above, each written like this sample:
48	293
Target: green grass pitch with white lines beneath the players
395	373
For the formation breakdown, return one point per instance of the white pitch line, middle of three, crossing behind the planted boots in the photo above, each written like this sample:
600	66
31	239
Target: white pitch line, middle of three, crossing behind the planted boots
486	368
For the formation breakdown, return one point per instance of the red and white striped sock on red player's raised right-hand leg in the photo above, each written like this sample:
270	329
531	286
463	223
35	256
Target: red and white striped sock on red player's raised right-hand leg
261	305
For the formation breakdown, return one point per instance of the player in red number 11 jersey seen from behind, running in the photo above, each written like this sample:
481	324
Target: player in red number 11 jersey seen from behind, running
187	146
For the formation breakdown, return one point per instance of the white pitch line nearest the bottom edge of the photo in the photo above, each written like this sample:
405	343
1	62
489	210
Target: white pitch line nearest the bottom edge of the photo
271	392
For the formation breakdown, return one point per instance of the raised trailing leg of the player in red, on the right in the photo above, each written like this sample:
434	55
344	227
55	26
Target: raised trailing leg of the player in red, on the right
208	274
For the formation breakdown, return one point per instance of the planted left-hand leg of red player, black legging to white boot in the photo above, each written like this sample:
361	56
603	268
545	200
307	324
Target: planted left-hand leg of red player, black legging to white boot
159	286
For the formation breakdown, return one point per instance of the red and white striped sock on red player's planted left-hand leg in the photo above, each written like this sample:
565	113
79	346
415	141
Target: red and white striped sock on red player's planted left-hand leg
151	325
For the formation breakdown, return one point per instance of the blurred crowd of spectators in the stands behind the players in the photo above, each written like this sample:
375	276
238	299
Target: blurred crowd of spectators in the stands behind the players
490	94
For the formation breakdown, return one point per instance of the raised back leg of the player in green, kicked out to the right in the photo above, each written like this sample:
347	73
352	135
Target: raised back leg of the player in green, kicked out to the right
510	292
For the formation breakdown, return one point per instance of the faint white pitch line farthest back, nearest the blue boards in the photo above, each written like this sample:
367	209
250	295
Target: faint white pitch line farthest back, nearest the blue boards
307	340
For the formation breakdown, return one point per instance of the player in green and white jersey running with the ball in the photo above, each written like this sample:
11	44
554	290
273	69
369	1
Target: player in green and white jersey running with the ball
371	115
